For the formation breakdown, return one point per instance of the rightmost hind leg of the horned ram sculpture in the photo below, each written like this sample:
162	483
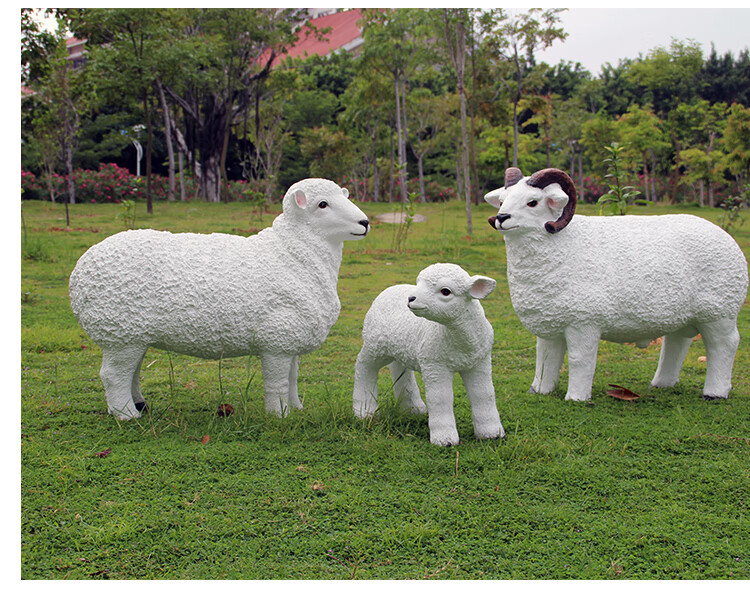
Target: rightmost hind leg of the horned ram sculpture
721	340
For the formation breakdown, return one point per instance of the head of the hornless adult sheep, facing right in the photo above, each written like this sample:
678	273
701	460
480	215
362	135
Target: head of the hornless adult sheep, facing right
325	207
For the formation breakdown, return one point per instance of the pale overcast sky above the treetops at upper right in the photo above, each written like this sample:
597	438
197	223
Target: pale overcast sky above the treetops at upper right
600	35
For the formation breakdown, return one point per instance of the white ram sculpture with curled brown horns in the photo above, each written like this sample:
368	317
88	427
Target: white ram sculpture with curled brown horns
574	280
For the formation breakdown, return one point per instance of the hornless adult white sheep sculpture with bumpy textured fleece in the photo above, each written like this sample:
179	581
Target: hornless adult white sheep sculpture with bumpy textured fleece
271	295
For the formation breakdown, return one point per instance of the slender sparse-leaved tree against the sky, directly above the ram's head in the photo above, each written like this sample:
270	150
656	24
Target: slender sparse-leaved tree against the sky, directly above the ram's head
514	39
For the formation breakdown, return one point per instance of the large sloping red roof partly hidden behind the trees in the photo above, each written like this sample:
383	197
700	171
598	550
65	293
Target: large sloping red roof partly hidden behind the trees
343	31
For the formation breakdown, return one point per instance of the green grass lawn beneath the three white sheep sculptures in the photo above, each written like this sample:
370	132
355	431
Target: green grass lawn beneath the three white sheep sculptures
656	488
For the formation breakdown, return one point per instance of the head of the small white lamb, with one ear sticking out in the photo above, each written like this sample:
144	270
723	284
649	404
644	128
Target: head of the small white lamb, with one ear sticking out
444	292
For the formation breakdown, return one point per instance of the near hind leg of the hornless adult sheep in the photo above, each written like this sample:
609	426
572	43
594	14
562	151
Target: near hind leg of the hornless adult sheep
119	371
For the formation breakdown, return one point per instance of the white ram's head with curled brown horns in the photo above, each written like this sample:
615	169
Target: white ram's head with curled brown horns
546	199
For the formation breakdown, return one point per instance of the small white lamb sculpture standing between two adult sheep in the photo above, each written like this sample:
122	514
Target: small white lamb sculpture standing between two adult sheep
436	327
